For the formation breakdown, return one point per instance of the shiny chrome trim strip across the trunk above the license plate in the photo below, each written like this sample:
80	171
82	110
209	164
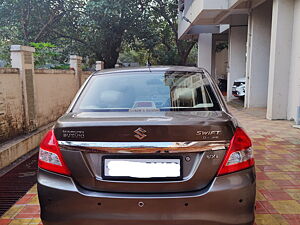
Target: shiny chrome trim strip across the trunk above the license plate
145	147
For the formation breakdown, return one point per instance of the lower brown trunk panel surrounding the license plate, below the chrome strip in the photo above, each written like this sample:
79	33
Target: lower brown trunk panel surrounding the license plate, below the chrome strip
88	173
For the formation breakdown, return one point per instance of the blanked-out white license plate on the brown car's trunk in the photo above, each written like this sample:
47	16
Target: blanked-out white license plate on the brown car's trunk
142	168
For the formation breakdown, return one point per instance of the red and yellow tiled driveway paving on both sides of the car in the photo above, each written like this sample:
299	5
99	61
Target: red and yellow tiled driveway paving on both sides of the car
277	153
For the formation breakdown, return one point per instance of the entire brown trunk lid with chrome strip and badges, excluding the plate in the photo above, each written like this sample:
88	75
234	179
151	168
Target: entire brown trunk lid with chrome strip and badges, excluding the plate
198	138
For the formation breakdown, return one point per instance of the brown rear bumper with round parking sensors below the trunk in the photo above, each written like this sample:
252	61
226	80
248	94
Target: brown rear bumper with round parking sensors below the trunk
229	199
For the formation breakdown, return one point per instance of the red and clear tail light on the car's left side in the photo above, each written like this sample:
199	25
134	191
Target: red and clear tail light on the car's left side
50	157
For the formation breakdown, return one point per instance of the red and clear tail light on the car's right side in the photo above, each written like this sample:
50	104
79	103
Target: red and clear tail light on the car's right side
239	155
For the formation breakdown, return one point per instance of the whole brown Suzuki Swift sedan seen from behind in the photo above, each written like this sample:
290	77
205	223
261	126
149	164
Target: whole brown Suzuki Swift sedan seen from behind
147	146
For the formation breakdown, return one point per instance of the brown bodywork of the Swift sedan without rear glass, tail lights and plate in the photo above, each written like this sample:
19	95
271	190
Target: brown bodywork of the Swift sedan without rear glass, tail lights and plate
200	139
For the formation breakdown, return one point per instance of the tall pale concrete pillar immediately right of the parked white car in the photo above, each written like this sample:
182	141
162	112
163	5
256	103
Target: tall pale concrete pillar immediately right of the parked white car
258	55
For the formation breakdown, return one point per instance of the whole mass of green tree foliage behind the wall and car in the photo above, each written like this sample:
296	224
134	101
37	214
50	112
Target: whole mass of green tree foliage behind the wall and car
141	30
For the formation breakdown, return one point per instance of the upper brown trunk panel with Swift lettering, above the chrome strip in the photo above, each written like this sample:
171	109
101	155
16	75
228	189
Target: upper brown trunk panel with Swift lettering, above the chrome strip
160	126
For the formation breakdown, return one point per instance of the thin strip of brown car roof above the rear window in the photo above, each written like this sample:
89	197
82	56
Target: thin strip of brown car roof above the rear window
149	69
